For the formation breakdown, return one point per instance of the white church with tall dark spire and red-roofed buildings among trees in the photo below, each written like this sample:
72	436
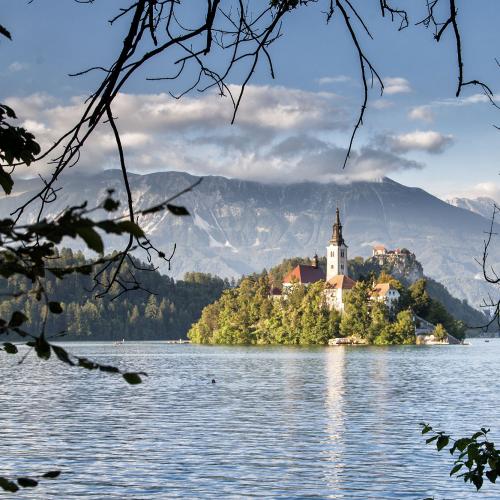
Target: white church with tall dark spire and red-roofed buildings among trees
338	284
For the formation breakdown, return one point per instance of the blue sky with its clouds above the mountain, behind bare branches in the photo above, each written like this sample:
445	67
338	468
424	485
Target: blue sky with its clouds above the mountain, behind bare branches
291	128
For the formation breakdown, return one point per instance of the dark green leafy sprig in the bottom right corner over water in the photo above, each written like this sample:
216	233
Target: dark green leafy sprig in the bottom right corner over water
476	456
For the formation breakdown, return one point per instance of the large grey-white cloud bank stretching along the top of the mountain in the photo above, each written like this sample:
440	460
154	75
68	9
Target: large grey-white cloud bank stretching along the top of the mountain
280	135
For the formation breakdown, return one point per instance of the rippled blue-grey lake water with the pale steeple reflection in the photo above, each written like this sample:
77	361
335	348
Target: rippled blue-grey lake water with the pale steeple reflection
337	422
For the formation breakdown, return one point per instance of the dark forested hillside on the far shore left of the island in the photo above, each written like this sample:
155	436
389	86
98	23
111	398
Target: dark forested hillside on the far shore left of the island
165	313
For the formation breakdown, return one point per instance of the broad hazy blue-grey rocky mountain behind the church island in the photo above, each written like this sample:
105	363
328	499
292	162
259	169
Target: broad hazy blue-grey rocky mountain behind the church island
239	227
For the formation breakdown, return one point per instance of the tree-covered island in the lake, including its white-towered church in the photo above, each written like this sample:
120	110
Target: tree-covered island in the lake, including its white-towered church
320	302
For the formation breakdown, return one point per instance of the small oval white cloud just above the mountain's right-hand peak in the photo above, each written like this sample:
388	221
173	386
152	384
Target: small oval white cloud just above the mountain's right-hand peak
429	141
